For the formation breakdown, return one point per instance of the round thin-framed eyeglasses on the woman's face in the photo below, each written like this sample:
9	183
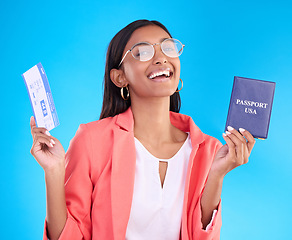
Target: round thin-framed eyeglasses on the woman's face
144	51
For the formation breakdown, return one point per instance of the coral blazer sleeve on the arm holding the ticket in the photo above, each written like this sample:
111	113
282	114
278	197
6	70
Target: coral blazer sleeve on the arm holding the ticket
78	188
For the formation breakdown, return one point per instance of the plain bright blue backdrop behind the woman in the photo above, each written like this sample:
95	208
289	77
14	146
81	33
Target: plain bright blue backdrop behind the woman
248	38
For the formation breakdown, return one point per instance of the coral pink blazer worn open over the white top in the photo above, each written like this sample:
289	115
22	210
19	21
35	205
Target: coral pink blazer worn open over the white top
100	171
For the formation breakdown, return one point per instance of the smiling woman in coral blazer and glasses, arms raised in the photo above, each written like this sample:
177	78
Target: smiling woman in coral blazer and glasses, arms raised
143	171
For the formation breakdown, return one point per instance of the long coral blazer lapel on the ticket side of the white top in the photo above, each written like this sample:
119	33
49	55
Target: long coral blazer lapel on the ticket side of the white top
123	173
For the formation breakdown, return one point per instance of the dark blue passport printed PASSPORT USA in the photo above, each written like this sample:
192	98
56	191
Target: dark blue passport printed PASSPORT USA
251	106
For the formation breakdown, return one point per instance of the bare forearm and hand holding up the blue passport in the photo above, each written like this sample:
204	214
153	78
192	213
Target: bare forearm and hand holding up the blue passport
234	153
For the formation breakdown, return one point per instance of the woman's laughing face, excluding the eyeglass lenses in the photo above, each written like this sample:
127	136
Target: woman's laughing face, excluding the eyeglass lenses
139	75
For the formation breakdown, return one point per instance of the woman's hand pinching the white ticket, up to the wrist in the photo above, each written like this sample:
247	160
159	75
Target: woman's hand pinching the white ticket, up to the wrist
46	149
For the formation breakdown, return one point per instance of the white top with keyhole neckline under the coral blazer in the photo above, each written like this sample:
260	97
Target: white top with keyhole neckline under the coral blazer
156	211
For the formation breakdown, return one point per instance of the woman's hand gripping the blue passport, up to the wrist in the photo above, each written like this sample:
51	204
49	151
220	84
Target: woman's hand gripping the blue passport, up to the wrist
234	153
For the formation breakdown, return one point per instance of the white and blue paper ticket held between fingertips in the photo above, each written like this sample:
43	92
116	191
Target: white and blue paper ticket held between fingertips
41	99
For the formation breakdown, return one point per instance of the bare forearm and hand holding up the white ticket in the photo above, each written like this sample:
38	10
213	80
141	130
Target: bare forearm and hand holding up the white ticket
50	154
